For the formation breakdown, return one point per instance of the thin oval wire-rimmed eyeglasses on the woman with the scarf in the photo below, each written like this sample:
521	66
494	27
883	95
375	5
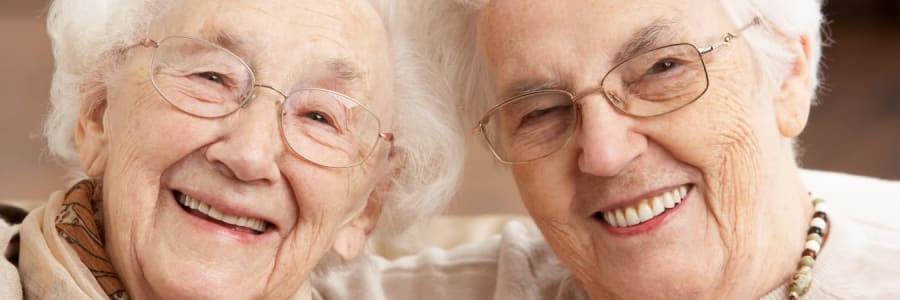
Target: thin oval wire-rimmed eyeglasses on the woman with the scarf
204	80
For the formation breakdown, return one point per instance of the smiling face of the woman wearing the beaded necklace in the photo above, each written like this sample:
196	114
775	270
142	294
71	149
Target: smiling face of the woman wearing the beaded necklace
690	204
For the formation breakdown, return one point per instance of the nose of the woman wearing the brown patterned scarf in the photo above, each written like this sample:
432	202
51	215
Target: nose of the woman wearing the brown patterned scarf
250	141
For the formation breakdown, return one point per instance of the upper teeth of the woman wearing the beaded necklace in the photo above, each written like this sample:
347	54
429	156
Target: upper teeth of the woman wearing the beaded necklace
645	209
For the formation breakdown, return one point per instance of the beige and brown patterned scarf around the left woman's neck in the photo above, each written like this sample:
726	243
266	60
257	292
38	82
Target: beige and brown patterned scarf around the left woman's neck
62	254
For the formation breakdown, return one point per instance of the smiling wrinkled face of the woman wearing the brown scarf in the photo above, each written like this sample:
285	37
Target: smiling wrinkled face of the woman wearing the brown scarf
221	207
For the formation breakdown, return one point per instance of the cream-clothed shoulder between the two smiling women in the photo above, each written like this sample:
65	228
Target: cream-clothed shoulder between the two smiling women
514	264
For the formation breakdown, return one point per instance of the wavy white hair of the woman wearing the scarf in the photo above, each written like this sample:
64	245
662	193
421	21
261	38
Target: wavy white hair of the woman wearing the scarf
88	37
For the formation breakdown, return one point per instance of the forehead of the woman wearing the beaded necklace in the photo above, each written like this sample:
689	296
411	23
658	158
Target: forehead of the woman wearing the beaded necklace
544	40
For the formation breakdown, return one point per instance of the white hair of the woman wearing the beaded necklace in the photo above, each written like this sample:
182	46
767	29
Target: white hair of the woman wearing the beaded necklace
446	30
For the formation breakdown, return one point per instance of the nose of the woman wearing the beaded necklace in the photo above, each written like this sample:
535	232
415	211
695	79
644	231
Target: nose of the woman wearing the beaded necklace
606	138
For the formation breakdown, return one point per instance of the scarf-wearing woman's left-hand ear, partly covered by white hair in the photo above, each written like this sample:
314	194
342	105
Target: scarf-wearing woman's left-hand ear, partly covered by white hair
90	136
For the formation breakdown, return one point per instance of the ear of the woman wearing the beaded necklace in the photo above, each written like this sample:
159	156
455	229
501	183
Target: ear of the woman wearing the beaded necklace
792	103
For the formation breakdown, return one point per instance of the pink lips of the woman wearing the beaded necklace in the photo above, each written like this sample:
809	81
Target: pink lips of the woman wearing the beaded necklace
651	224
